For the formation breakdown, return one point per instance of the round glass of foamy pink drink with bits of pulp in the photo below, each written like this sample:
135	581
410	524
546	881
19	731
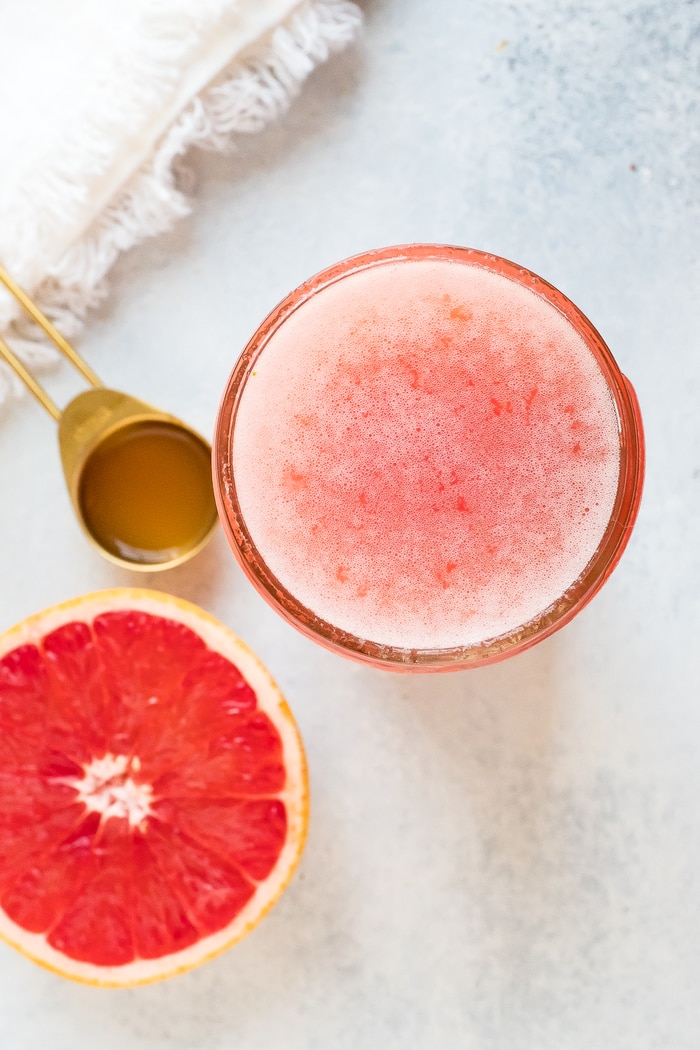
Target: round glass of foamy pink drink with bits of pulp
427	456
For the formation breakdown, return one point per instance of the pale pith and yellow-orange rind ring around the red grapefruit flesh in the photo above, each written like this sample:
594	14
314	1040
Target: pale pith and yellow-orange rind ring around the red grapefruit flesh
294	795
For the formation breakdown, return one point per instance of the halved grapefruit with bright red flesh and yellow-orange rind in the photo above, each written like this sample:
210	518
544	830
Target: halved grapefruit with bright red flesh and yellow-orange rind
154	793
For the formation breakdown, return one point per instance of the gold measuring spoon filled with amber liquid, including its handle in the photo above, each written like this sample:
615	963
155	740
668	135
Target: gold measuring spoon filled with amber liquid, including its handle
140	480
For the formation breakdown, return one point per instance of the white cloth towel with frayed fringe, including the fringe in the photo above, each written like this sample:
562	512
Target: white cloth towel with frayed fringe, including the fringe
98	100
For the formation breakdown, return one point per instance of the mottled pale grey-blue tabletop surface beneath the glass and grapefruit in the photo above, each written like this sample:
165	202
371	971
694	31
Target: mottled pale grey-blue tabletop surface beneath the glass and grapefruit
503	858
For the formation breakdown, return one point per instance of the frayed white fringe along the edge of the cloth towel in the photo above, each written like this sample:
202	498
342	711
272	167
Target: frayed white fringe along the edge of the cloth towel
243	101
